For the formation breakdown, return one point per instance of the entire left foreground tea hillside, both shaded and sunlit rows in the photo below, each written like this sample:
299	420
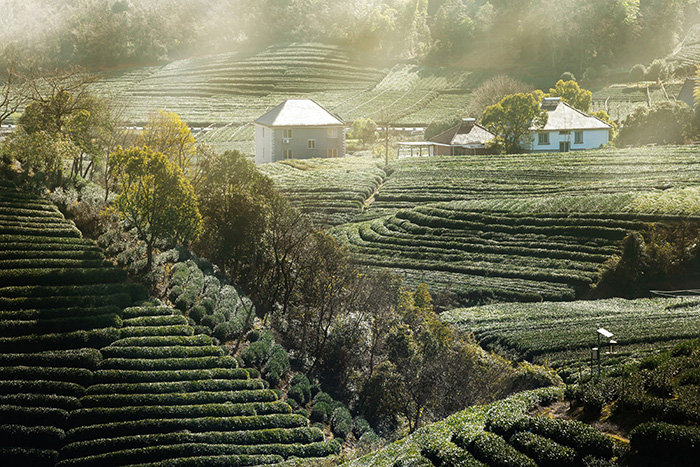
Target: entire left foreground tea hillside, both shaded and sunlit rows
86	378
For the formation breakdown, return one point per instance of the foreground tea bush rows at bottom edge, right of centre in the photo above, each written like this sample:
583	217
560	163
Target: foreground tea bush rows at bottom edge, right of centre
501	434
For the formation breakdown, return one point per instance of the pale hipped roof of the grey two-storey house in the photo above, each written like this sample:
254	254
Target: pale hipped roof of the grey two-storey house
299	112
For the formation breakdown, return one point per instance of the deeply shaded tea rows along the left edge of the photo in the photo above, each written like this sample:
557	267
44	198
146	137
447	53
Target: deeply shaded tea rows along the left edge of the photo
59	303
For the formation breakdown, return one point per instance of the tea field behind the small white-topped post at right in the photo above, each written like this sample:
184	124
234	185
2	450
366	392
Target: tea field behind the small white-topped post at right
561	334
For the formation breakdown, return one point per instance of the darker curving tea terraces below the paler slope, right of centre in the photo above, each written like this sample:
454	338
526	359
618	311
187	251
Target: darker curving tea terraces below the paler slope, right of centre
482	254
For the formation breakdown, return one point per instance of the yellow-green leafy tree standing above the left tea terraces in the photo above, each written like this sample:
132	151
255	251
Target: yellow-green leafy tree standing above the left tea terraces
155	198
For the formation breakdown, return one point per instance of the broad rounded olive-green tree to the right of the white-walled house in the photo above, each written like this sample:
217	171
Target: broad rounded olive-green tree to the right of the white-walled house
664	122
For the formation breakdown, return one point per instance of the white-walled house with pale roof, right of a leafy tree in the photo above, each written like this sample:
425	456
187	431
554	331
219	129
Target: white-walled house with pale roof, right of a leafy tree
567	129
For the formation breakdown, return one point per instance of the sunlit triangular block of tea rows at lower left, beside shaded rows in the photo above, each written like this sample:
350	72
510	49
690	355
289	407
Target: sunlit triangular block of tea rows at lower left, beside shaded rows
155	382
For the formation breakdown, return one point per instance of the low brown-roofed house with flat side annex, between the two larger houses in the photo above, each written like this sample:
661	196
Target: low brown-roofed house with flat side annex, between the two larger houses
466	138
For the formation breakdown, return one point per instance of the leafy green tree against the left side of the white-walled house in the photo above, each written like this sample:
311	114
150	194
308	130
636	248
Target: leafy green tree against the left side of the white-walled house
512	118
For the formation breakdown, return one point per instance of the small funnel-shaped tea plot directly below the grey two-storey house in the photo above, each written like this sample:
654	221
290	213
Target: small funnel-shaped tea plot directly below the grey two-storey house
331	191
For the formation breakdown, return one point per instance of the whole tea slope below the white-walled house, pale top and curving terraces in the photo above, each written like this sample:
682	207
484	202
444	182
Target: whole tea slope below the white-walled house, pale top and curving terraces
523	227
